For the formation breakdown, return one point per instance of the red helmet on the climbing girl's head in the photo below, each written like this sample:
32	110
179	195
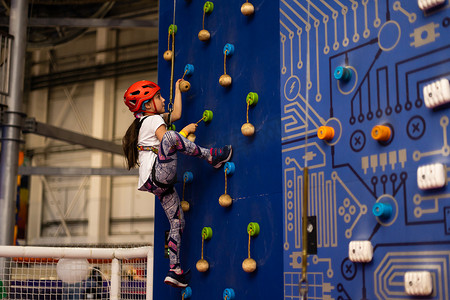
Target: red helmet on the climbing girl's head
138	93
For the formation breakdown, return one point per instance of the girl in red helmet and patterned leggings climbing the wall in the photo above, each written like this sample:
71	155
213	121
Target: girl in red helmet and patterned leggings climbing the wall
149	145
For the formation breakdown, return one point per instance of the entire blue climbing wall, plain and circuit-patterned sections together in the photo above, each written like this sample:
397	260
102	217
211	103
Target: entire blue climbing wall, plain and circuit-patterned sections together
392	49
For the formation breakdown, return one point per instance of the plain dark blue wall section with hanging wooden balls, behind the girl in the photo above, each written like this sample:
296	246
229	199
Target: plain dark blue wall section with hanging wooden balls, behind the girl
256	185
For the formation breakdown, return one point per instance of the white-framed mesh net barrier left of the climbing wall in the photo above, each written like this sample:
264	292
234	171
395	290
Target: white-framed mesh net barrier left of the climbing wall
77	277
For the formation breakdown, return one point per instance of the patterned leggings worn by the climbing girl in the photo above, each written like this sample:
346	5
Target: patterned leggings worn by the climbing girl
161	184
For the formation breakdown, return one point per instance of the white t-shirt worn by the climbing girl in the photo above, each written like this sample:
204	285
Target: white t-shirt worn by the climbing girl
147	137
